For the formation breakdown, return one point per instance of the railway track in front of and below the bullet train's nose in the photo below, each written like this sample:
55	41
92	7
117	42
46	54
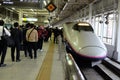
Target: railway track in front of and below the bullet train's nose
107	70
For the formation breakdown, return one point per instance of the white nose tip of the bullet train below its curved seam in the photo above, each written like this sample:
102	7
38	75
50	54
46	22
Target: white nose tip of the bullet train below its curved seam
93	52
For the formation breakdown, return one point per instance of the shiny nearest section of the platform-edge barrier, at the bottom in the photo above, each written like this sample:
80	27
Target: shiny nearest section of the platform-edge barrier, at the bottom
72	70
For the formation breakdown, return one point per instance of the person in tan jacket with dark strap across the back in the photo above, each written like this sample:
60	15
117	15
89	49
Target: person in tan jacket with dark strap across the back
32	38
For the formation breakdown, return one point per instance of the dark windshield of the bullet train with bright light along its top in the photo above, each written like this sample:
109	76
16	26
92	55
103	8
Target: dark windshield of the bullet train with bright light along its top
83	26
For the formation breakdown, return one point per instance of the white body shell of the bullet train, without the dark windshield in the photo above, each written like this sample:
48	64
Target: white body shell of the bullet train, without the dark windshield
84	43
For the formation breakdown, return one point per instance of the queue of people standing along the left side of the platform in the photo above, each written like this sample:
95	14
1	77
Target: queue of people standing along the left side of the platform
29	38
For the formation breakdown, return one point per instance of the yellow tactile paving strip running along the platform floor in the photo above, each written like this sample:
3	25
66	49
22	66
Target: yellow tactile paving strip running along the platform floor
45	70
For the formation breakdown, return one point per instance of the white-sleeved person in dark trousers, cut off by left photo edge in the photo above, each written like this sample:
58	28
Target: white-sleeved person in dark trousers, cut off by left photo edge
3	45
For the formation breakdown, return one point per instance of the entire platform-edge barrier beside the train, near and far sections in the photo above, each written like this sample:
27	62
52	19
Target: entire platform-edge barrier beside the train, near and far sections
71	70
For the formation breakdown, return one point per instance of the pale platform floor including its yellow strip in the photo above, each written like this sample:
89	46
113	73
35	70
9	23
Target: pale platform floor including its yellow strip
47	66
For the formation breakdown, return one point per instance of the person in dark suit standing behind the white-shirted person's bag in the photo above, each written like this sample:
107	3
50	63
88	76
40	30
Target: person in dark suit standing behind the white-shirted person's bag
16	34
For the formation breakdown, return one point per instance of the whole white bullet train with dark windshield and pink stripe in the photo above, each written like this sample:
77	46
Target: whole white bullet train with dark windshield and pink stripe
82	42
